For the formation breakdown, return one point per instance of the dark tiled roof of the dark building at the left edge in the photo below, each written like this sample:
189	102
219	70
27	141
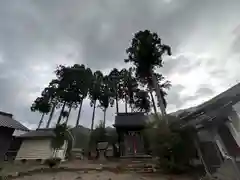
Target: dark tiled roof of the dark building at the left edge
6	120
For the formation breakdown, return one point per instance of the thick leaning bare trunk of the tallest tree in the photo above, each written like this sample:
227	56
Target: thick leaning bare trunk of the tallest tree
159	97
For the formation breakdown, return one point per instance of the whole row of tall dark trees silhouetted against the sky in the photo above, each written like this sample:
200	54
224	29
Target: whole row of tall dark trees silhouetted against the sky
134	86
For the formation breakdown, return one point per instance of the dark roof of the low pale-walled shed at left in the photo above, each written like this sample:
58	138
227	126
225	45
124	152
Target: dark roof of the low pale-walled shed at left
38	133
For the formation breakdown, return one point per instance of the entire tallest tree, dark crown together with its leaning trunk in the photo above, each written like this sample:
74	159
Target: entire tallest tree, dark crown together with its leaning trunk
145	53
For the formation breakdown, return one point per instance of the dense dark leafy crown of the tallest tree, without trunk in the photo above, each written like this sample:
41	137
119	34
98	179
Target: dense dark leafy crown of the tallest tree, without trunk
146	52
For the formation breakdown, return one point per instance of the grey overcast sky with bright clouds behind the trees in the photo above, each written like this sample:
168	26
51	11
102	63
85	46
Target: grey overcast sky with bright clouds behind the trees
37	35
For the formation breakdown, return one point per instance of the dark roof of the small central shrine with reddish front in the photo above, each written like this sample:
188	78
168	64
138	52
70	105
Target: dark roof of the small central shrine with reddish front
130	119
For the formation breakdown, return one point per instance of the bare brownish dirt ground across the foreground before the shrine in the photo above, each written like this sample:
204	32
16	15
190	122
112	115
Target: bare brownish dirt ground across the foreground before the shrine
85	170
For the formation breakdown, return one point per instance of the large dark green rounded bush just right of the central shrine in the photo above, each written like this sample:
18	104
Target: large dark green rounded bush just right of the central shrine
174	148
